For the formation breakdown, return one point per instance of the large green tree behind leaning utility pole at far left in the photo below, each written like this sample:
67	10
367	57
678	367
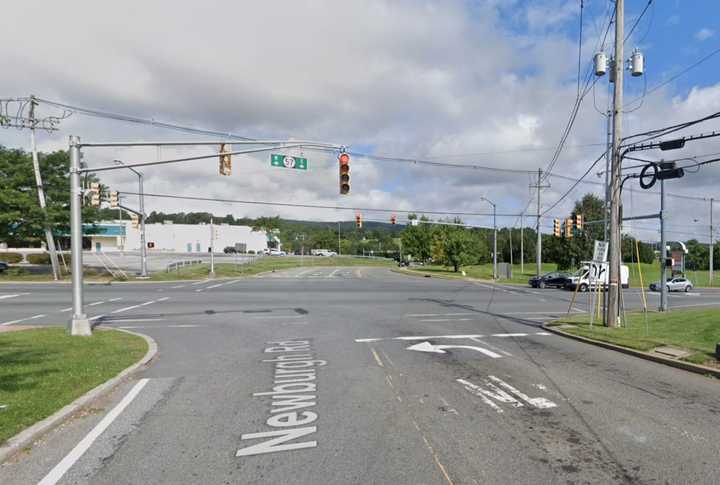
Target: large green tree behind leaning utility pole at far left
21	220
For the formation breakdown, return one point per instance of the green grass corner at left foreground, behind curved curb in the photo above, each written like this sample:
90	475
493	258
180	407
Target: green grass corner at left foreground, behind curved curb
44	369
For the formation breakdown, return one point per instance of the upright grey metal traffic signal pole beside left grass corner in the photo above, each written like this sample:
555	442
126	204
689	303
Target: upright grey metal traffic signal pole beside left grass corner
79	323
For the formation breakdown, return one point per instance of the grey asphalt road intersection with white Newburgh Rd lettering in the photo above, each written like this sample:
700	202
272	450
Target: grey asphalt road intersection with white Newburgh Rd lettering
355	375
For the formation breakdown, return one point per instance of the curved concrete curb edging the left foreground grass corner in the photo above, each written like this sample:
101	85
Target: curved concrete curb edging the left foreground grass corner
26	437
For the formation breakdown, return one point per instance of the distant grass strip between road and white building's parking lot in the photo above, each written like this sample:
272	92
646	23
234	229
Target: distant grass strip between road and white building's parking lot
262	265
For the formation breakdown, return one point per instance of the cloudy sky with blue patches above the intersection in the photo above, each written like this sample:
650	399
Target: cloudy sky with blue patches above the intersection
485	83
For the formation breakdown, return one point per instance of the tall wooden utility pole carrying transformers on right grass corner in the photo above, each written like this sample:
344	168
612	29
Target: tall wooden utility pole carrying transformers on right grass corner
618	67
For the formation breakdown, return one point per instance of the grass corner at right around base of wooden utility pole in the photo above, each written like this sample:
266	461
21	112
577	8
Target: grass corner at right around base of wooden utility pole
697	330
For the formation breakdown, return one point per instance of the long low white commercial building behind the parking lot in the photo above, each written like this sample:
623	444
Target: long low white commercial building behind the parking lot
180	238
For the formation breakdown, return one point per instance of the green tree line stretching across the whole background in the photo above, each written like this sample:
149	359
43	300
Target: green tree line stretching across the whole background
441	241
